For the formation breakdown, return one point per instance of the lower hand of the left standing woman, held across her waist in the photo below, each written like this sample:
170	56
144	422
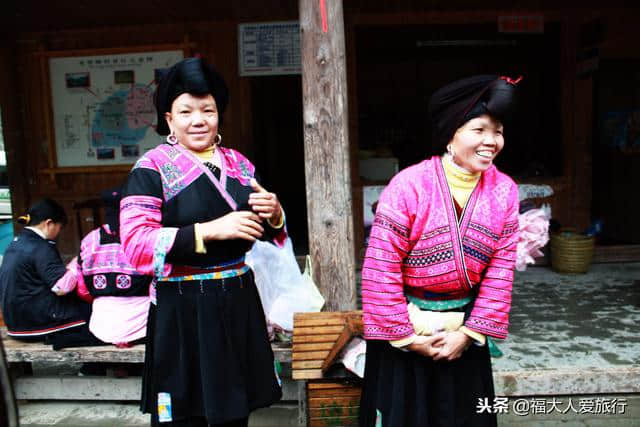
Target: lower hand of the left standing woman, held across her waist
234	225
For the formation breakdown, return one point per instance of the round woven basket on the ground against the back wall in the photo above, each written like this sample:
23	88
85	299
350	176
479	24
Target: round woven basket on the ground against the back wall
571	253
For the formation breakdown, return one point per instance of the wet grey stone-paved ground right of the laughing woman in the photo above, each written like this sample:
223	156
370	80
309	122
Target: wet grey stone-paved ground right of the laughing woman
586	321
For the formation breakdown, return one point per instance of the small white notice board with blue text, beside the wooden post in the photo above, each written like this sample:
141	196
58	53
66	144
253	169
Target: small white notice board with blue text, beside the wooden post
269	48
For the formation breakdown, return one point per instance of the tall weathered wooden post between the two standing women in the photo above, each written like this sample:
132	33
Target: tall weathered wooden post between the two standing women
326	152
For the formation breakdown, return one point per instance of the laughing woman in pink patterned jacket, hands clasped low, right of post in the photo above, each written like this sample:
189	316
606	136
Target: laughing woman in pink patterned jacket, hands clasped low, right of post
438	271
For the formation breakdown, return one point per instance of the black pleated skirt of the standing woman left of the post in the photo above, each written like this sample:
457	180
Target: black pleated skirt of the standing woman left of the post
208	348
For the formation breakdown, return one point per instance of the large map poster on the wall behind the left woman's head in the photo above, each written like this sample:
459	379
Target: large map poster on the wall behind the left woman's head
103	111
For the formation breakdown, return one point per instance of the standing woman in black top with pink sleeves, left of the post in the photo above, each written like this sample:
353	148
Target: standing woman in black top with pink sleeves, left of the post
190	211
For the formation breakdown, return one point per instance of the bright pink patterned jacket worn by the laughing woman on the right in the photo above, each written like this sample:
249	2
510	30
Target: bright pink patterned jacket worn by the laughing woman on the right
417	246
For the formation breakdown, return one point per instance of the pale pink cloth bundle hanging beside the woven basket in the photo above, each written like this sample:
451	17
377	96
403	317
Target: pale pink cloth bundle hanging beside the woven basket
534	234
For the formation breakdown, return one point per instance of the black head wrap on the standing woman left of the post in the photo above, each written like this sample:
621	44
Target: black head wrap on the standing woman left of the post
191	75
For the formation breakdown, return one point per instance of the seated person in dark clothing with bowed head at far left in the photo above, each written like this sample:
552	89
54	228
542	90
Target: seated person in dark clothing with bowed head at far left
30	274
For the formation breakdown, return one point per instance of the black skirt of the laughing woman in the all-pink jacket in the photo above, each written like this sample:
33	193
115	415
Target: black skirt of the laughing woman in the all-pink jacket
409	390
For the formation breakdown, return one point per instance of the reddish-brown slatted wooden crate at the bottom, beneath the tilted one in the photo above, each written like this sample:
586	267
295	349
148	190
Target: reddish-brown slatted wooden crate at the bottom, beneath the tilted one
333	403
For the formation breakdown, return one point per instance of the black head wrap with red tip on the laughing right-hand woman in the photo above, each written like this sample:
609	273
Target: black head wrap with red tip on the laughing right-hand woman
456	103
